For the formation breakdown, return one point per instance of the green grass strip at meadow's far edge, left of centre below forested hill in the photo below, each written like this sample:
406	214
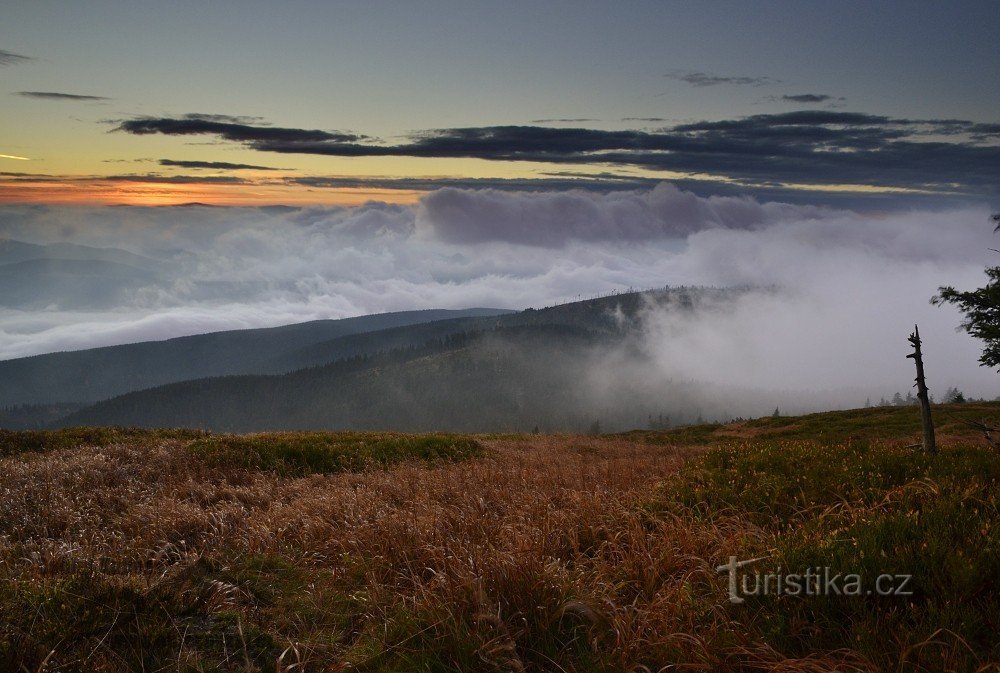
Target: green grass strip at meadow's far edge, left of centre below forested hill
300	453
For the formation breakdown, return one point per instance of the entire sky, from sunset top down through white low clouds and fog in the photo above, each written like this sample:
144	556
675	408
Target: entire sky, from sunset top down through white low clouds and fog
229	165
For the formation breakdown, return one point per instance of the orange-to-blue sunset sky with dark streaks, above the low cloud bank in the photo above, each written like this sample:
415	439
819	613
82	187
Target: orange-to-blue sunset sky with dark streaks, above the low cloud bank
869	103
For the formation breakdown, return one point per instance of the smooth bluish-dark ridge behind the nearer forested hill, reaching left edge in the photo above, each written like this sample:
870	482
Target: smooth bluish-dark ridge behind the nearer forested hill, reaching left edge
90	375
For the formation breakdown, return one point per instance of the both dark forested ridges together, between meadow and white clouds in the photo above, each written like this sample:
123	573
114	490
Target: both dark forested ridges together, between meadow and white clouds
564	367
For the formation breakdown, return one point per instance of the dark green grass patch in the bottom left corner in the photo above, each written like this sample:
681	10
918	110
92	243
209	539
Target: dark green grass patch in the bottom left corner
118	624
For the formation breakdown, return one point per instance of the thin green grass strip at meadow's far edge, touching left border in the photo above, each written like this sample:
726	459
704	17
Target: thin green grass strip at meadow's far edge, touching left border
13	442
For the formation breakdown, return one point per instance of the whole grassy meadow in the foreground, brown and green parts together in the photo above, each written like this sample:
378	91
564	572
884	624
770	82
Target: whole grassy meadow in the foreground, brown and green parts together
176	550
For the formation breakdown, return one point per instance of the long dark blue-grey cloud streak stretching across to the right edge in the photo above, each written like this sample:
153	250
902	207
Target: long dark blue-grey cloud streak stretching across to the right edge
818	147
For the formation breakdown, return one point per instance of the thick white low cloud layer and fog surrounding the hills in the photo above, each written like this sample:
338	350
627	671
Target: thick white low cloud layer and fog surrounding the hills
839	290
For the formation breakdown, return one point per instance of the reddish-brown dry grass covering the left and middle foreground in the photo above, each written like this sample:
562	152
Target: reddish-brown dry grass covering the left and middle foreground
538	556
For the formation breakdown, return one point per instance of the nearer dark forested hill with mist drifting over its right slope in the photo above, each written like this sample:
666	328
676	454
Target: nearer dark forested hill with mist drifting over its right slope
559	368
